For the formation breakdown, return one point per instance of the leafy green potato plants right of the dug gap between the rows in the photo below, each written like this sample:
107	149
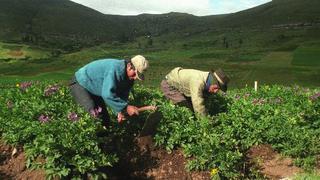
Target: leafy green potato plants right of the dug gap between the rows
288	118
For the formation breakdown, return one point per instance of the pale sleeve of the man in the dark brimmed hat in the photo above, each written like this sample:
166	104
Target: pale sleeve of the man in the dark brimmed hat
196	91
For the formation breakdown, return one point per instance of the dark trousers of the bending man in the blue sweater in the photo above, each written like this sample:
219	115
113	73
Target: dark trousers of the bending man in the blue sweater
89	101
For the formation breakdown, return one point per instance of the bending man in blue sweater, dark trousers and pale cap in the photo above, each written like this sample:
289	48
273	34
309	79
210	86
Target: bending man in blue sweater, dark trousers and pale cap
108	82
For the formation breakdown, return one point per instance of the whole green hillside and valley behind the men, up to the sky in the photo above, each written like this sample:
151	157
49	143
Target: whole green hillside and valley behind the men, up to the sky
277	42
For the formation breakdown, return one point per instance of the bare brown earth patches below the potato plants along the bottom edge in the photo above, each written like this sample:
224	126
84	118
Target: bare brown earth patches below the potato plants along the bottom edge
149	162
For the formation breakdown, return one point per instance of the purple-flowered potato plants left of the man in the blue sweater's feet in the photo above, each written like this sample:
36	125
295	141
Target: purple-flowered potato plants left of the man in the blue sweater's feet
55	133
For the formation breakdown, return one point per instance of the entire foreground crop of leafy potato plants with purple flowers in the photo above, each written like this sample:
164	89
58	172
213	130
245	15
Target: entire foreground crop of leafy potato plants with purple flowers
59	137
